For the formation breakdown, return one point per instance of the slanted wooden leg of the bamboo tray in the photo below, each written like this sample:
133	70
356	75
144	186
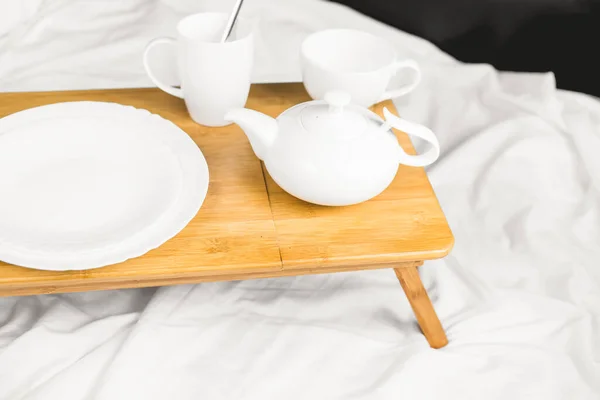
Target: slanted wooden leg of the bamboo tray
422	307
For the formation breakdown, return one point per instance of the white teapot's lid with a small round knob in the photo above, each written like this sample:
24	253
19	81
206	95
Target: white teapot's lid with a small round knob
334	115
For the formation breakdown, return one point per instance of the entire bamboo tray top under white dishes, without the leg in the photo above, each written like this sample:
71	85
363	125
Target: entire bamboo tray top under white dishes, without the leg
248	227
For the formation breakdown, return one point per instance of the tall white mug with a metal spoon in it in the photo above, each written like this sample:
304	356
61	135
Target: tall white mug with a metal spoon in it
215	77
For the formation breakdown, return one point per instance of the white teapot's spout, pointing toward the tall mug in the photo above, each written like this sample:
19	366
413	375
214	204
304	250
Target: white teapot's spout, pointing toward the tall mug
260	128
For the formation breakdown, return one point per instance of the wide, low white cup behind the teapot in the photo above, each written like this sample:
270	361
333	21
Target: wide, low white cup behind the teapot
355	62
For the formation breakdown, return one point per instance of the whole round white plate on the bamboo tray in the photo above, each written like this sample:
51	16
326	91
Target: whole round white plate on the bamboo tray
87	184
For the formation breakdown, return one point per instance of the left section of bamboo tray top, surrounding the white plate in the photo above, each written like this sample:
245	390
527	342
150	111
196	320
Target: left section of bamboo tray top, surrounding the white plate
233	230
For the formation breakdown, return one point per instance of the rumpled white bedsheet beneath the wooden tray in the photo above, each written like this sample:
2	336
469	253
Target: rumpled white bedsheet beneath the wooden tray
519	295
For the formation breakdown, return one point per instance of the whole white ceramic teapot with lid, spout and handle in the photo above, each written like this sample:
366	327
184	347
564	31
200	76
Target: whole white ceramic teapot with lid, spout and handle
330	152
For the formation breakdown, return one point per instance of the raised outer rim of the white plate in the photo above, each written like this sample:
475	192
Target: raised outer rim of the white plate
194	188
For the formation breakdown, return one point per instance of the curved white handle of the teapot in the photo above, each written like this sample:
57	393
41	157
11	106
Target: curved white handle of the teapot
414	129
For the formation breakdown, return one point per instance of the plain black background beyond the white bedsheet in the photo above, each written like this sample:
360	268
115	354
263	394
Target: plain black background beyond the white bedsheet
562	36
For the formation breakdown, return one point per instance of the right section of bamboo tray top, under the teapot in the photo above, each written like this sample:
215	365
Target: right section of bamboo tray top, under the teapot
404	223
